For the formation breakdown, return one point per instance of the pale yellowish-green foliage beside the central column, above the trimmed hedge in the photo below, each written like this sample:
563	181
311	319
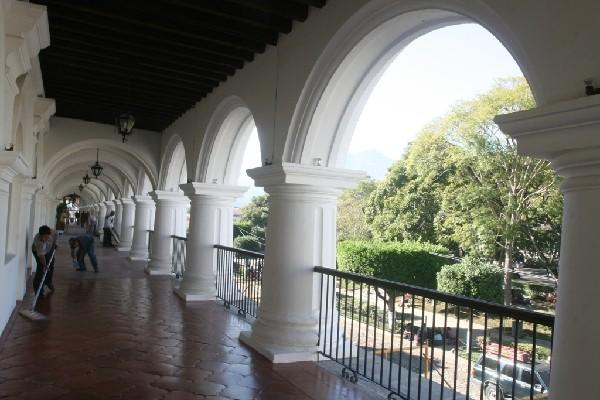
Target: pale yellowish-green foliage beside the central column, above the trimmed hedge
351	221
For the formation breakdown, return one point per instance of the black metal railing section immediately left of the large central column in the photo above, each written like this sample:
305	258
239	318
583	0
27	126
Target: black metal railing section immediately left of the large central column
239	278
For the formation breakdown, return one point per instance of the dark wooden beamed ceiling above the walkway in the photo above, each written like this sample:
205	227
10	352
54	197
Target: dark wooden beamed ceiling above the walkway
156	58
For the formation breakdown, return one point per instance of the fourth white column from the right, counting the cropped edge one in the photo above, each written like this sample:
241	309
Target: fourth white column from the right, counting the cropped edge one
170	208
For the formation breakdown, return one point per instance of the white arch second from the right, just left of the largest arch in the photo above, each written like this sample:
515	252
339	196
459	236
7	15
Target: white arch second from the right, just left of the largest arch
224	143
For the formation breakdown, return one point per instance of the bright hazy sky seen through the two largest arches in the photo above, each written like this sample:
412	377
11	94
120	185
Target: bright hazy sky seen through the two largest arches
422	83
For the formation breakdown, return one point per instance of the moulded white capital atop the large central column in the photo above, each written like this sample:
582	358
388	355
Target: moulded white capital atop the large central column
327	179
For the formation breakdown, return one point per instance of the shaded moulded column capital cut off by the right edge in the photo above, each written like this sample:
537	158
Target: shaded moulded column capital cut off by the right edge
565	133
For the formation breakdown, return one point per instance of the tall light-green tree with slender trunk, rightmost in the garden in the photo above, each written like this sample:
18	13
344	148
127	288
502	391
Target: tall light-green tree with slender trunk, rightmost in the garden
494	194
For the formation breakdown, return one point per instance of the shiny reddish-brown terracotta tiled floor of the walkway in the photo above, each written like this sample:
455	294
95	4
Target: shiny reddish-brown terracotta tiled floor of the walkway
122	335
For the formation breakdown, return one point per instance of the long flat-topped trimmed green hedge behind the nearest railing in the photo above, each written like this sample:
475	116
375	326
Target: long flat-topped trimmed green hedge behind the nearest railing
407	262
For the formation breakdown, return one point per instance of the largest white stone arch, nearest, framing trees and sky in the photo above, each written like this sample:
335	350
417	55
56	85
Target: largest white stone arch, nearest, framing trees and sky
351	64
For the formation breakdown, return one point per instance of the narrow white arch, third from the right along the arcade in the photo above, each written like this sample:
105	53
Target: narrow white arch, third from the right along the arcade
173	166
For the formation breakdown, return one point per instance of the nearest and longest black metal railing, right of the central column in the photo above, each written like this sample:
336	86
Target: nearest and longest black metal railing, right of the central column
418	343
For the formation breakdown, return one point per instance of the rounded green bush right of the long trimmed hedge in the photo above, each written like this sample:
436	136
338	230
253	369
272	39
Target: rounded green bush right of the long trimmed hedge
472	278
